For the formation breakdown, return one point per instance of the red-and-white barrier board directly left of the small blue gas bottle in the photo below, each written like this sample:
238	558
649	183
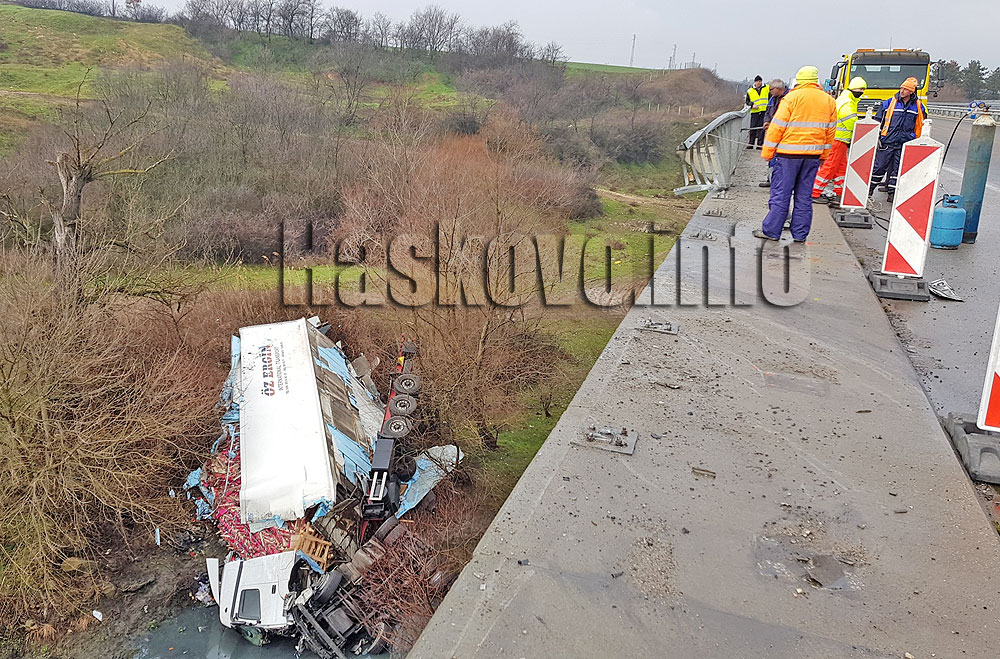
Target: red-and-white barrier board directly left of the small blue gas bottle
913	208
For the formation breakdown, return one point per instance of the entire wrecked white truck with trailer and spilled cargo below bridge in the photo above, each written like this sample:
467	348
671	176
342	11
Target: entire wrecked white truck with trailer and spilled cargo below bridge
306	486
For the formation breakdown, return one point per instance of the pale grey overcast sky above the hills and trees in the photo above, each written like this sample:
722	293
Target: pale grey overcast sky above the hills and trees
742	38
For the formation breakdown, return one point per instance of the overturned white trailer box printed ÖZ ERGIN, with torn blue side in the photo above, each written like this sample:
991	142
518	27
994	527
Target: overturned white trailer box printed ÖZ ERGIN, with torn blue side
307	423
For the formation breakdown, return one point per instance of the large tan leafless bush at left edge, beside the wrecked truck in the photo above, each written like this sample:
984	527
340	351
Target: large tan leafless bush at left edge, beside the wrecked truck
95	426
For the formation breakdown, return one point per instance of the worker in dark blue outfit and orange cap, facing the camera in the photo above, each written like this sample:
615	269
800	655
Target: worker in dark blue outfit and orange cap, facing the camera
902	118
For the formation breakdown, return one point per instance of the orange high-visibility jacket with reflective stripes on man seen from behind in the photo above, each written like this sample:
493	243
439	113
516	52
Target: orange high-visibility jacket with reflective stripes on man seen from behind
805	124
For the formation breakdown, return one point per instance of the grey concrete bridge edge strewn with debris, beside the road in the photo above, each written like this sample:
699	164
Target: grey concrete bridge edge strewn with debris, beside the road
823	458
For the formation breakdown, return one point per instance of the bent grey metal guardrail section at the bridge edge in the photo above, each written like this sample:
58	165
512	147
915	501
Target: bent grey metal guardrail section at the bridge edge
710	155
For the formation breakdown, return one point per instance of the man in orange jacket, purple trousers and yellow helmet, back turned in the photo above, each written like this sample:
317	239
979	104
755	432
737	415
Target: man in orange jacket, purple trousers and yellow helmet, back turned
800	135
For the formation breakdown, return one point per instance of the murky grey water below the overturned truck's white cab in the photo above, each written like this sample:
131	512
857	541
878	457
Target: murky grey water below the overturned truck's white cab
197	633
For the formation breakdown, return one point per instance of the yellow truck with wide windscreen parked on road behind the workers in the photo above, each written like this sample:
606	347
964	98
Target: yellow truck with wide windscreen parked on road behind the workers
883	70
